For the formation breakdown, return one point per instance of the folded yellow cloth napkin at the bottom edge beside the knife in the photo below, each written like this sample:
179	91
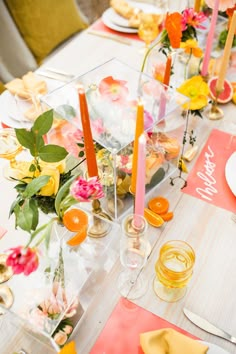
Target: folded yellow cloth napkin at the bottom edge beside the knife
169	341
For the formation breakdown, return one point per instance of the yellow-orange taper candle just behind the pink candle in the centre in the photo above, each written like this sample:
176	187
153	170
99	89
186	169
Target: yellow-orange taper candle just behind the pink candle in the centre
138	131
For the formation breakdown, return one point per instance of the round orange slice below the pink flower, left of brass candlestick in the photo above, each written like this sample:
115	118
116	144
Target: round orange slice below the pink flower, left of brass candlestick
75	219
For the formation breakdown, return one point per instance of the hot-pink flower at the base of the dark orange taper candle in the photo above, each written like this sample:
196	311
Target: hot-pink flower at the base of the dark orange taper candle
85	190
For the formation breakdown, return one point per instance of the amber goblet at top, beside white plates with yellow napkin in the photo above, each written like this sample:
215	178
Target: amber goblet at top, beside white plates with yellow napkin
148	28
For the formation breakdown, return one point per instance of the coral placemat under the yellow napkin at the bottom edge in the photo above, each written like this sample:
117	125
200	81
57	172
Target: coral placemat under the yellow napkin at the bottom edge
121	332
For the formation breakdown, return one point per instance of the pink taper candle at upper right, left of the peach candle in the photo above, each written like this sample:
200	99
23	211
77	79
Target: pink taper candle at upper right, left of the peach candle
210	39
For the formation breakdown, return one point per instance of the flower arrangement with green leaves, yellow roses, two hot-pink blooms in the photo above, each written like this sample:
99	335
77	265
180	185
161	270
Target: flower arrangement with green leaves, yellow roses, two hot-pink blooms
44	185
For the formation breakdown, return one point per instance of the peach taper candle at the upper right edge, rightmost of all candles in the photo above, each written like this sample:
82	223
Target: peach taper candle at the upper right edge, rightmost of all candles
226	55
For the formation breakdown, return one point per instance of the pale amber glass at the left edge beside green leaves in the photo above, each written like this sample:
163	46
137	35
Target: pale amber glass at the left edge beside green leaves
9	149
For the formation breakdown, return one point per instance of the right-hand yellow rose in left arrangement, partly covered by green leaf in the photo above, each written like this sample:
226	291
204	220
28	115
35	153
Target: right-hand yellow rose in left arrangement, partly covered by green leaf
51	188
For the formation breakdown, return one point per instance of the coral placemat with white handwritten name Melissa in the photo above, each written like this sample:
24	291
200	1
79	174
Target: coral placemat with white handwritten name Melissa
207	179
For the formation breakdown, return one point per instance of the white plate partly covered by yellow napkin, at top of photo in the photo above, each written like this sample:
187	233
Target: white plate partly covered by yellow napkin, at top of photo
118	23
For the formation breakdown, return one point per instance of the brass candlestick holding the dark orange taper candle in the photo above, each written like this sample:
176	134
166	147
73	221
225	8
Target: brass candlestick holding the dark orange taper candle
100	227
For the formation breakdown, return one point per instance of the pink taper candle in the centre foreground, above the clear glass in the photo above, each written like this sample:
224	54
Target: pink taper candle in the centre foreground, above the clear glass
140	184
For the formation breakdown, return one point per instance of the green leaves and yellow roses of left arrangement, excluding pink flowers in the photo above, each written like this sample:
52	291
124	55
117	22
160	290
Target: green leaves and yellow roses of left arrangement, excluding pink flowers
42	186
